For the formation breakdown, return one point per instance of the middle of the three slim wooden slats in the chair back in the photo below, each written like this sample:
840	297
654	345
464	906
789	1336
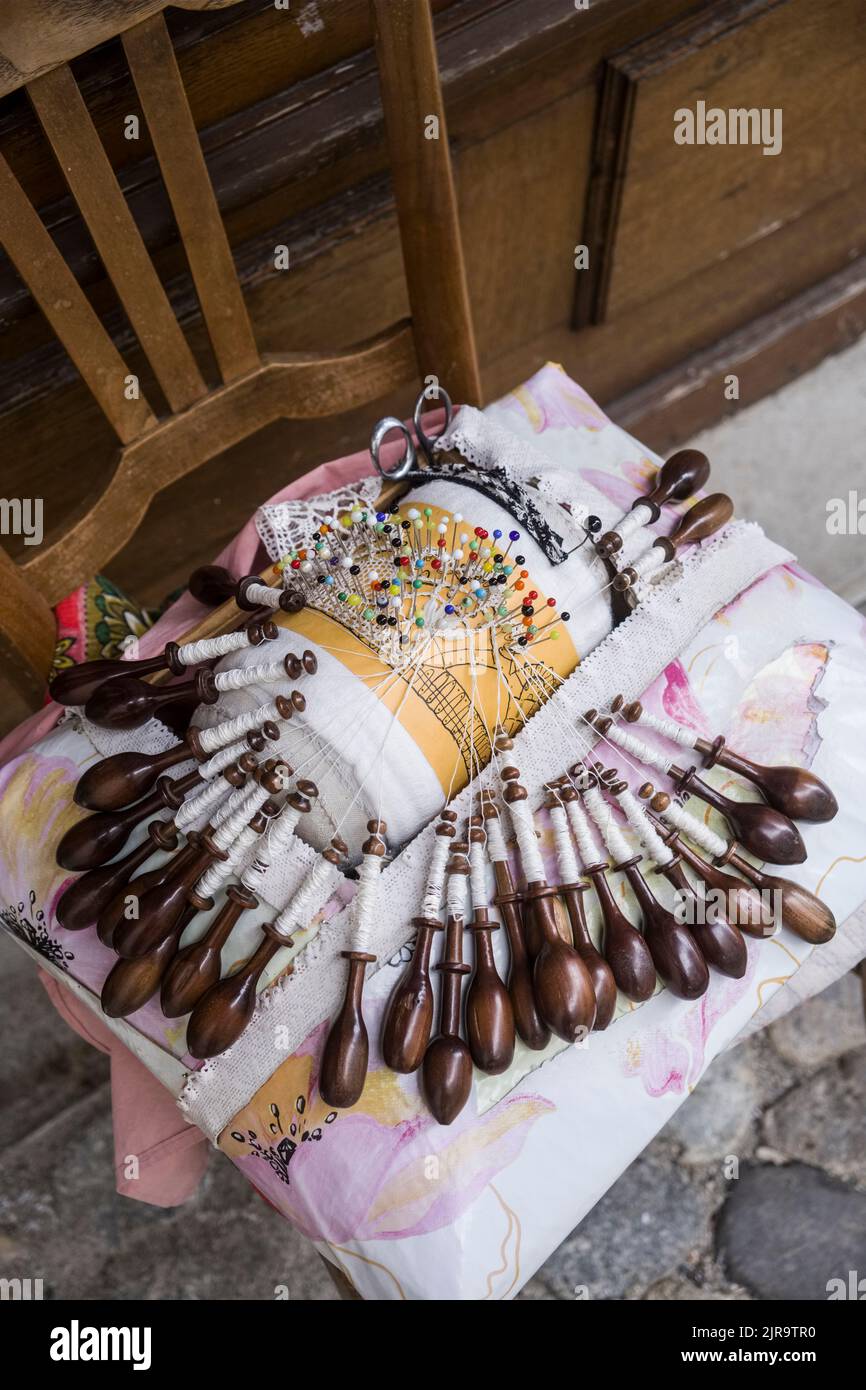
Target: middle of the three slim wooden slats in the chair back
94	186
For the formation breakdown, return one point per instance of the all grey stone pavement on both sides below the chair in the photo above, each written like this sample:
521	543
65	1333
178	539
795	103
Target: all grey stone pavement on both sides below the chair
787	1106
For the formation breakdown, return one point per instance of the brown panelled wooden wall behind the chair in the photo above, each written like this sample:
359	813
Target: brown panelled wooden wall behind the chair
703	261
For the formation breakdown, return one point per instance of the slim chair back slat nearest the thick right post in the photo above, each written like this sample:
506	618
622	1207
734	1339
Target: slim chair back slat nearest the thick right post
158	80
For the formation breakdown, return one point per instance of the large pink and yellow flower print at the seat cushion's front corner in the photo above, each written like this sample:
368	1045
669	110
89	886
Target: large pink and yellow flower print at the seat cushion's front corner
382	1171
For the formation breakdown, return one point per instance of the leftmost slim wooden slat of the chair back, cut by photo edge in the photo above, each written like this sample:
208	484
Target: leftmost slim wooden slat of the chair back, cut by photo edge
66	306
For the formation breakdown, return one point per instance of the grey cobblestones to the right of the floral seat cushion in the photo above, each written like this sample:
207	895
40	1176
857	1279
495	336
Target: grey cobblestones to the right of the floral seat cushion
790	1109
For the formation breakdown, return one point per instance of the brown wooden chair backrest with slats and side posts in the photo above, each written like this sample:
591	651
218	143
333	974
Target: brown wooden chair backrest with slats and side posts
255	389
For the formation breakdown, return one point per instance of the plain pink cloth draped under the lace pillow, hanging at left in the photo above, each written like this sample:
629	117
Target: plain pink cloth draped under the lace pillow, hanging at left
172	1154
